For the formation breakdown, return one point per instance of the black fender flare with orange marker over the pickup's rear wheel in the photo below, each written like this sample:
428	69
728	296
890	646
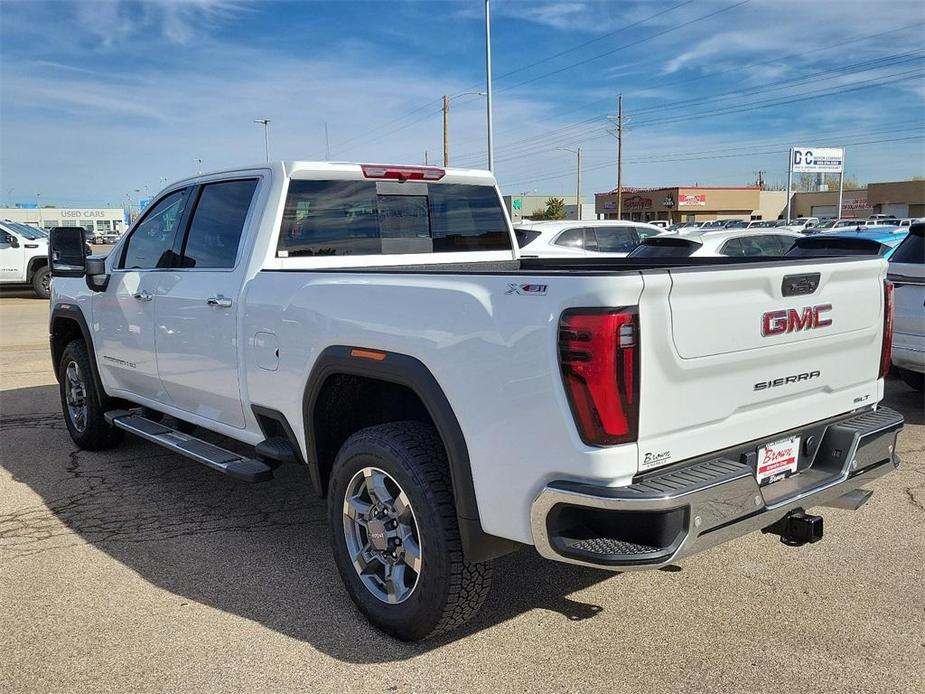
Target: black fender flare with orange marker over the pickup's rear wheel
411	373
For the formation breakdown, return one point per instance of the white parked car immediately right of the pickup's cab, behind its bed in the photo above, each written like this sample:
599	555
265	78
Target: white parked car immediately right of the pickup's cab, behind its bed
552	239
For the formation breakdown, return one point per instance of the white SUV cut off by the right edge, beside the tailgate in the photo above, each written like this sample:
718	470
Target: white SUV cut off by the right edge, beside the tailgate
907	273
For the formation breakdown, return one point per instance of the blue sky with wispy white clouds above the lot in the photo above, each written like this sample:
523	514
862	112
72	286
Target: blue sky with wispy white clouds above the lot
102	101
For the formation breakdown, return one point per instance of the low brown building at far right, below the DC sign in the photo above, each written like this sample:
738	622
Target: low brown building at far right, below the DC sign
899	198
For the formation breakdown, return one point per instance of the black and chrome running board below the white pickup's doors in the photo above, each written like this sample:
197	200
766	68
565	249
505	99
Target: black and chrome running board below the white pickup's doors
232	464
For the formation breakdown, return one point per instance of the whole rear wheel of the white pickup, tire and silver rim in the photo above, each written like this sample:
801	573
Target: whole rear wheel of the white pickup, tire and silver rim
394	533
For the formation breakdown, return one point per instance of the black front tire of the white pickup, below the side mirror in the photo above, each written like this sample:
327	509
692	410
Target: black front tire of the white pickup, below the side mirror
90	432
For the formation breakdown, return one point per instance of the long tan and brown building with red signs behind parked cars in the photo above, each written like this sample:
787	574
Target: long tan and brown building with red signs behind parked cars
693	203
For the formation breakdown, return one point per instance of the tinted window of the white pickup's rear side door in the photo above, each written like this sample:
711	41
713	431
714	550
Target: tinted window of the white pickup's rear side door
218	220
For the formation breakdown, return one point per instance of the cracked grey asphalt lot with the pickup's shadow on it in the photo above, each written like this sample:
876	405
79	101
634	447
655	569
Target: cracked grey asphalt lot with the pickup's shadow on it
136	570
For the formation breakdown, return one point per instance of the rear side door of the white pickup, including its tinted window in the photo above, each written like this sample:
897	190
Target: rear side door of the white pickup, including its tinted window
197	306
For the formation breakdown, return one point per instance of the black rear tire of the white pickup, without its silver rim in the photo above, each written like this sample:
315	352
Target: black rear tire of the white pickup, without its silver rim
449	589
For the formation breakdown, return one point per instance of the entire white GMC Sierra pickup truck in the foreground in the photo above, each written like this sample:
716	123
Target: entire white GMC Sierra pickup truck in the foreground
453	401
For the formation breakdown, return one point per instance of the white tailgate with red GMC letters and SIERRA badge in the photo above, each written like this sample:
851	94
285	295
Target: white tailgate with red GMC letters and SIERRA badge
736	354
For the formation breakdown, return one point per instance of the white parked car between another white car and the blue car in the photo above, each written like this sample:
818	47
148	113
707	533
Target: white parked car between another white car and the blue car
736	243
